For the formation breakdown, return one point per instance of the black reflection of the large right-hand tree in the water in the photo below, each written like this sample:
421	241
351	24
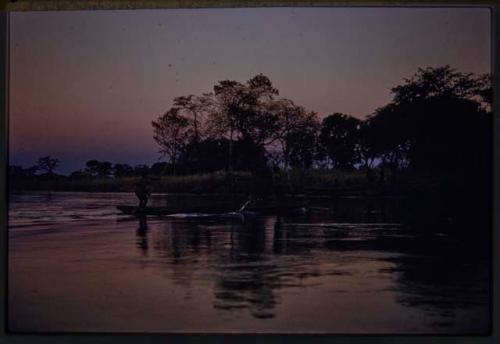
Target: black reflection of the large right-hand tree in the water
442	274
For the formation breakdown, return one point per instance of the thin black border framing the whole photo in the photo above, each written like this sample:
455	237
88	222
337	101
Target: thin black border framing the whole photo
25	5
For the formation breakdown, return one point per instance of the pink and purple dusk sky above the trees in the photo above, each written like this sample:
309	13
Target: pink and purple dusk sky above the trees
87	84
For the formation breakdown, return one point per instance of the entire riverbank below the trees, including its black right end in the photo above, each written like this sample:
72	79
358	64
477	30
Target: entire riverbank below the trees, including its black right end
447	200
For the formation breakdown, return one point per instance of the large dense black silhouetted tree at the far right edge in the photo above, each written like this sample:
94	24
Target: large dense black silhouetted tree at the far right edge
438	121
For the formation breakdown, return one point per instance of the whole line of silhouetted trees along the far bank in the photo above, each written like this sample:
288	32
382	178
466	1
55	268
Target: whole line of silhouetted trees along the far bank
439	121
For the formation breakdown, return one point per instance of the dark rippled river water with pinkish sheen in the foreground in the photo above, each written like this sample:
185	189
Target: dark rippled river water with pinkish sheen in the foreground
346	266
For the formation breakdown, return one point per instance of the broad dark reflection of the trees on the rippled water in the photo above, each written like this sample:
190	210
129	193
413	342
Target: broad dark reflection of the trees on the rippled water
249	263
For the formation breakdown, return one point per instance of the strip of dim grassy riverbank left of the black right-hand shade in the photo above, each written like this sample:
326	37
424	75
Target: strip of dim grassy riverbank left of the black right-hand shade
311	182
